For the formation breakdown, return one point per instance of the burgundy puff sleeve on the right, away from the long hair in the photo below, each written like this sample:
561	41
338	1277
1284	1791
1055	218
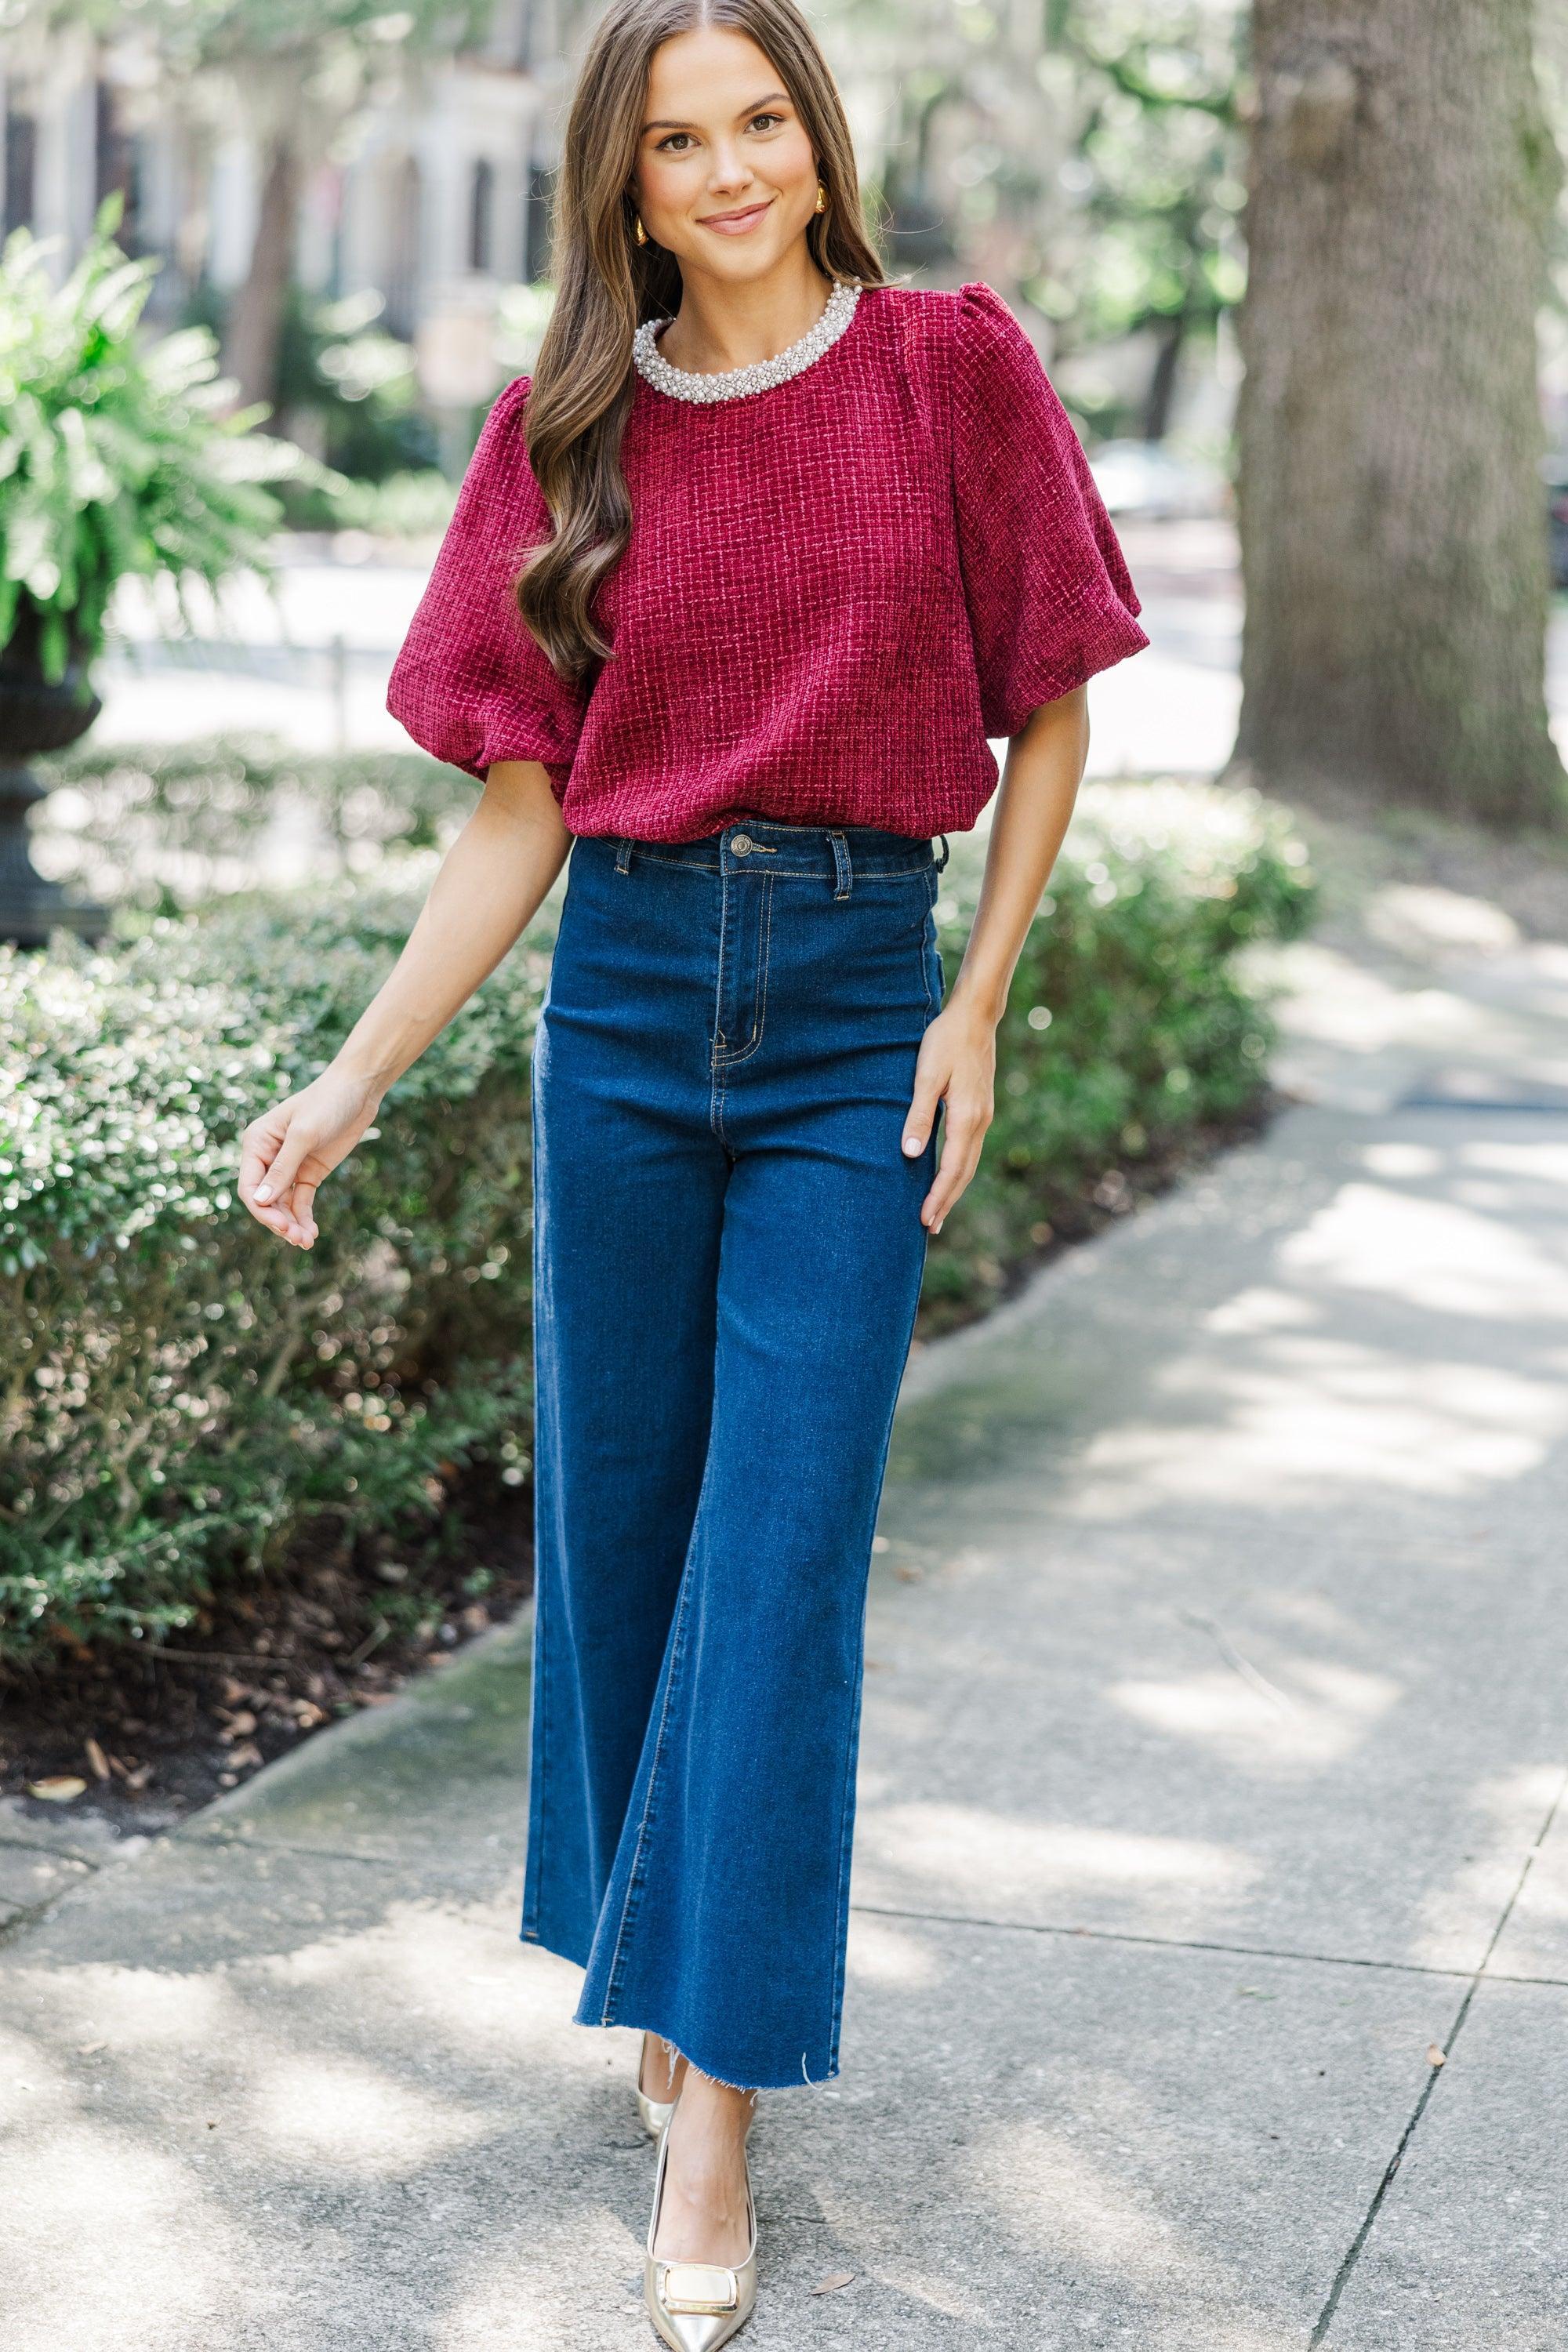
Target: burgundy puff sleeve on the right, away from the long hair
1047	589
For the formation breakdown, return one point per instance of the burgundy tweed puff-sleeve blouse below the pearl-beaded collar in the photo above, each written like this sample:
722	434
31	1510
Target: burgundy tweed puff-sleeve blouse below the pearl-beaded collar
836	592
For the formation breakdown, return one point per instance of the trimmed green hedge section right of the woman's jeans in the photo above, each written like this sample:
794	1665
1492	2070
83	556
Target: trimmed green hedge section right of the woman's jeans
1132	1027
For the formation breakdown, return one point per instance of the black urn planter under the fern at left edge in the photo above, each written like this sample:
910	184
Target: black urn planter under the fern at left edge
36	719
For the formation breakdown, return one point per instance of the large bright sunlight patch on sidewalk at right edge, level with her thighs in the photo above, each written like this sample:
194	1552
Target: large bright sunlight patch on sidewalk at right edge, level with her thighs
1435	1255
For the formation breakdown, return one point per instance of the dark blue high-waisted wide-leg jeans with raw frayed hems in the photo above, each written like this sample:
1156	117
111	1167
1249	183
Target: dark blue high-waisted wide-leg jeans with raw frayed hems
728	1257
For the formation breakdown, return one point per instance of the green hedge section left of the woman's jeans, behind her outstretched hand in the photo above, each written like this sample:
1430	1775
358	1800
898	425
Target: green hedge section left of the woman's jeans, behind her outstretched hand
182	1396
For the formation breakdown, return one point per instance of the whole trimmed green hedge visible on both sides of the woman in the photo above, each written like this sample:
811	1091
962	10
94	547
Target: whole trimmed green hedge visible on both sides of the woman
182	1396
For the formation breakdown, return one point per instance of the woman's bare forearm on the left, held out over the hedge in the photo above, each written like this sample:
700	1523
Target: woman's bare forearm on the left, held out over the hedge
488	890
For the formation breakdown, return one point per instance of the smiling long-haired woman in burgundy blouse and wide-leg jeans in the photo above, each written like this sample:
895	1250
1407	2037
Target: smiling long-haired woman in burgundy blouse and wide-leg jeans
730	613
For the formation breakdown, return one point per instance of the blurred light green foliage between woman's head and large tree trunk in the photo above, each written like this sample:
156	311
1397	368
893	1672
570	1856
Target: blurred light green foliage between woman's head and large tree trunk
1080	154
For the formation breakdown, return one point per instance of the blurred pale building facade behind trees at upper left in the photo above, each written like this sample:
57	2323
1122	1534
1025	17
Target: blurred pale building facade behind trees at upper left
429	189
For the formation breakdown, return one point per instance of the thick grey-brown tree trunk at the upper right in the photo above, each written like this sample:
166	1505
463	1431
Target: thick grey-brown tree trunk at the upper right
1393	526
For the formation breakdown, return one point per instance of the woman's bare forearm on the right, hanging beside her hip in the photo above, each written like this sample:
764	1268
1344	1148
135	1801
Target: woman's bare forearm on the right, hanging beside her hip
1033	810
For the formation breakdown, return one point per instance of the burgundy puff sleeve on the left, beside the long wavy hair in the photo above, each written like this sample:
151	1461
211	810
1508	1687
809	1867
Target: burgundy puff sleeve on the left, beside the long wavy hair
469	681
